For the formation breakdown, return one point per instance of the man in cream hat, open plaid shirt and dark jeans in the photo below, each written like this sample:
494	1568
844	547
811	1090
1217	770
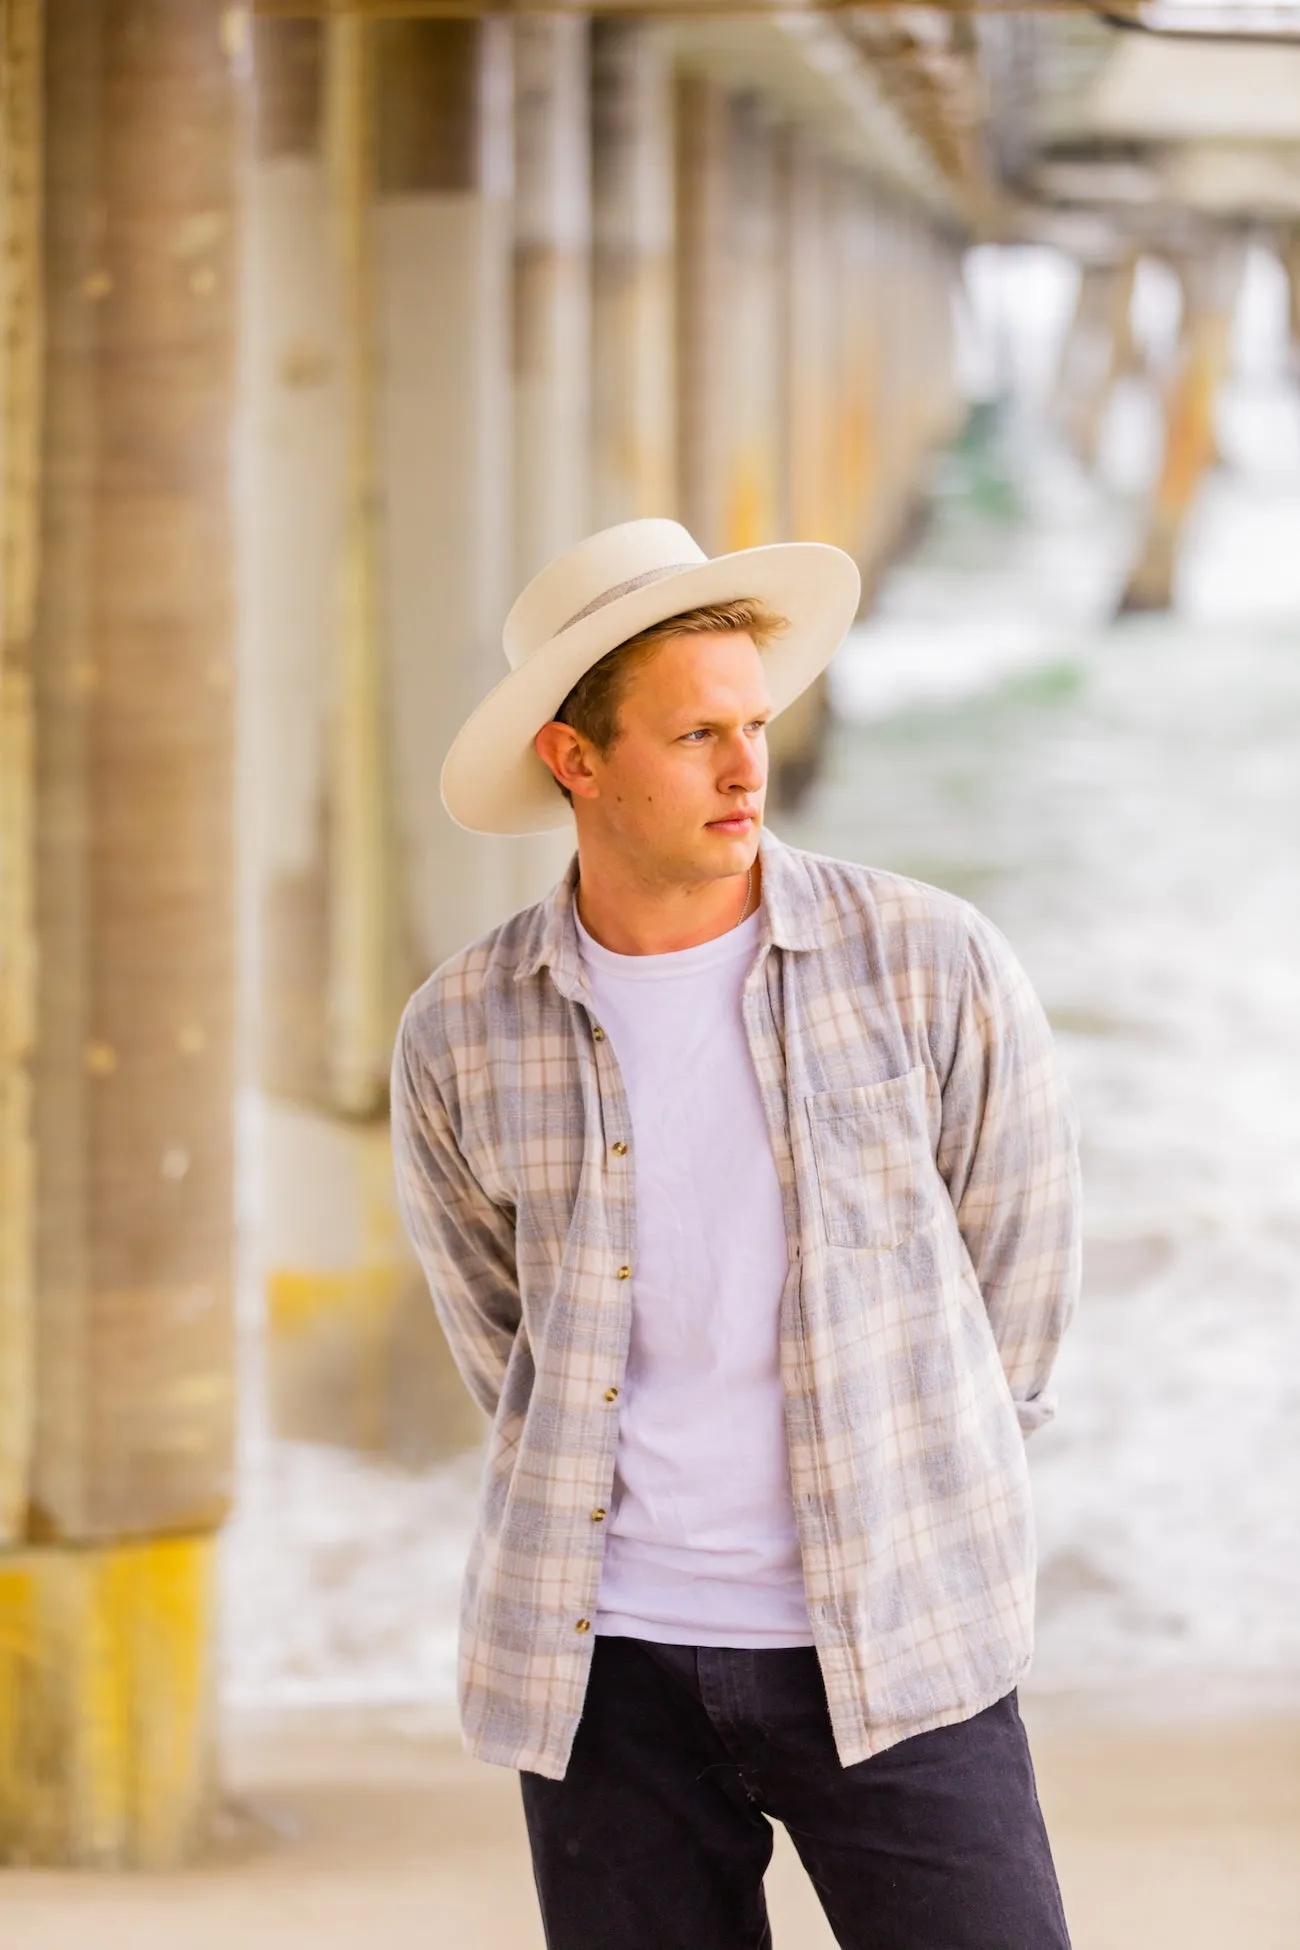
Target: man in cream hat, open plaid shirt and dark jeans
746	1185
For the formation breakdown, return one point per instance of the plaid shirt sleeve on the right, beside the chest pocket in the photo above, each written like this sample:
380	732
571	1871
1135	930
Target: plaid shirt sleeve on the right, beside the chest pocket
1009	1153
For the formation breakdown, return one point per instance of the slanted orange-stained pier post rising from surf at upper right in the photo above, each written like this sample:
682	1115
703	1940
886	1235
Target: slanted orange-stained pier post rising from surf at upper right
1211	284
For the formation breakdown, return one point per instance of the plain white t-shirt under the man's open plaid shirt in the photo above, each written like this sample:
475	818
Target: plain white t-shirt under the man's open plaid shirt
701	1545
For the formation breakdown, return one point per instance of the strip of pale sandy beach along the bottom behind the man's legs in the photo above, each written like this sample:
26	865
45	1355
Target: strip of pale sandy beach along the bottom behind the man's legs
340	1832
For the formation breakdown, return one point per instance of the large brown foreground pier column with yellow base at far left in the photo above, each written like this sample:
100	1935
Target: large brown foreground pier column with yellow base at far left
106	1623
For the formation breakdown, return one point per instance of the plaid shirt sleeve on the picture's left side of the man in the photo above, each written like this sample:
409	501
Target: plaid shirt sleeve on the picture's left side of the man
465	1243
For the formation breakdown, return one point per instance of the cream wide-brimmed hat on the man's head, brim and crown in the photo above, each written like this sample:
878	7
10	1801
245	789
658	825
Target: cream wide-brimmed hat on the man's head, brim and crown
590	602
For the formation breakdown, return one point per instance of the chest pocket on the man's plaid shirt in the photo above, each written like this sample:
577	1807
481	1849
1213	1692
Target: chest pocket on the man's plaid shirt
872	1161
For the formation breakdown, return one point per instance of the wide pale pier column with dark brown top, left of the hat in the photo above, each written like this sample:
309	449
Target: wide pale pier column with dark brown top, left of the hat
443	268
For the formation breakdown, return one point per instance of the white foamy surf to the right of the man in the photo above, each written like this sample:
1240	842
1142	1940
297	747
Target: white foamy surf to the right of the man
1133	820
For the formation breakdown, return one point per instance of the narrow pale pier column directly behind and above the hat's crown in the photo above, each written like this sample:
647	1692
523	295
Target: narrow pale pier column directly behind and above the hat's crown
553	334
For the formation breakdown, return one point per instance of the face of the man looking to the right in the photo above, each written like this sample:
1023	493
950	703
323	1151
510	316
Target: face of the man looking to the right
681	791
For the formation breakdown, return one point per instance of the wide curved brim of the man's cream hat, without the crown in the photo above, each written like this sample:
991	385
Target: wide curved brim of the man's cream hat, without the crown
492	777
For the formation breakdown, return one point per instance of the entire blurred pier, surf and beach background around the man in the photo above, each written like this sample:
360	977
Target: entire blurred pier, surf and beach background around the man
323	331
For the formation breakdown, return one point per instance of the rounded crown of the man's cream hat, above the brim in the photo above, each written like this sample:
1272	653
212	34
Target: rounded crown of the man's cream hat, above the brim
592	574
